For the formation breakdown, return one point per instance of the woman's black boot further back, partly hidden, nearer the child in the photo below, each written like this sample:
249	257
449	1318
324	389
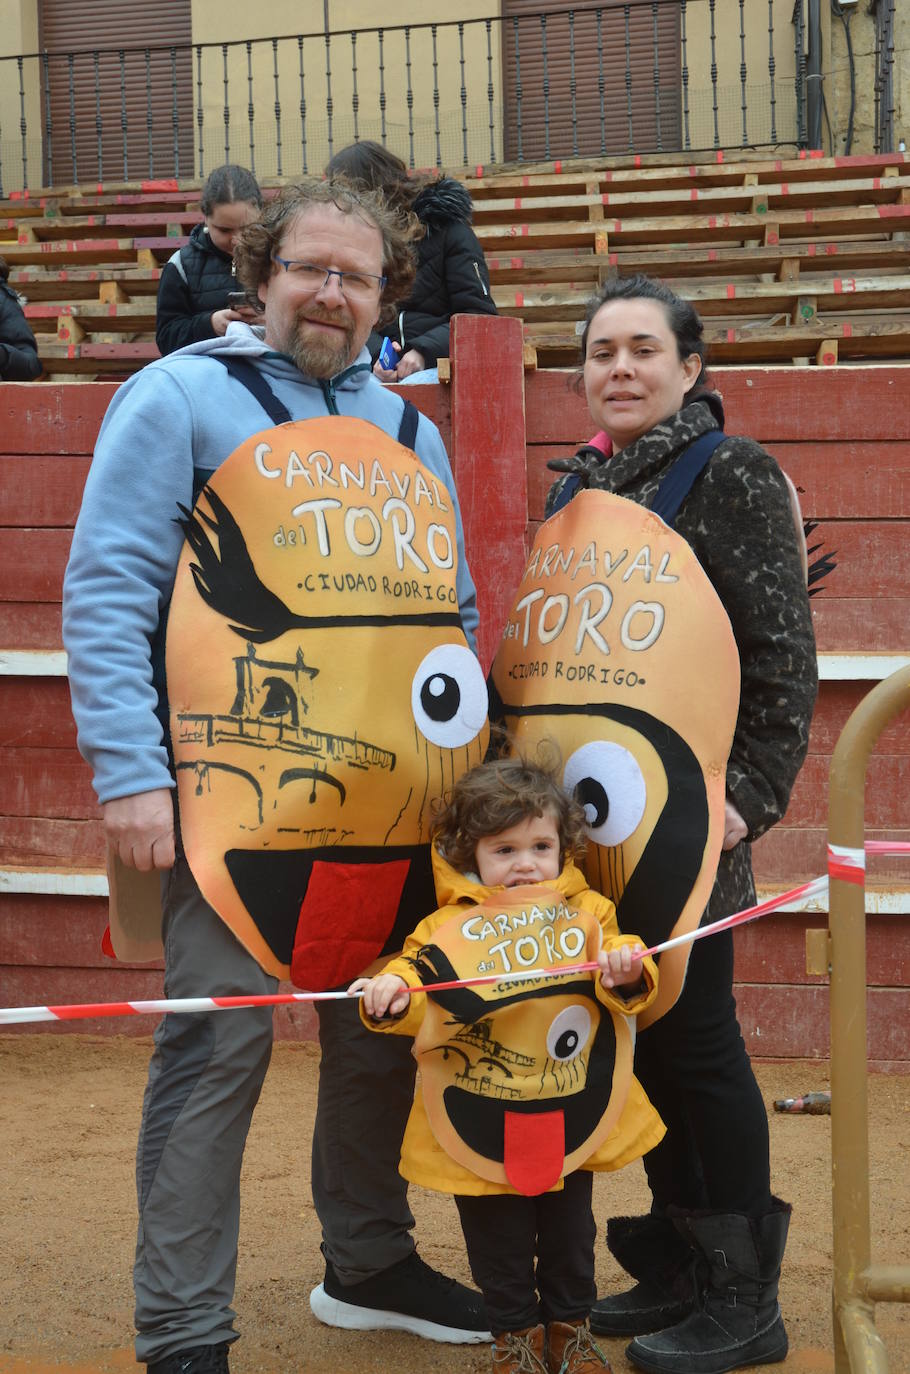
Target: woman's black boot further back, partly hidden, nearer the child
654	1252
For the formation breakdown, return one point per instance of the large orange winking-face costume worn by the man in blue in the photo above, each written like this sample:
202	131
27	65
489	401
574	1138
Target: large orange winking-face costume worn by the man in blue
322	693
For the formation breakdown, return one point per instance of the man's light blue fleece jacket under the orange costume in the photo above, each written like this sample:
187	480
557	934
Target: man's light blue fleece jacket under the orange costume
182	413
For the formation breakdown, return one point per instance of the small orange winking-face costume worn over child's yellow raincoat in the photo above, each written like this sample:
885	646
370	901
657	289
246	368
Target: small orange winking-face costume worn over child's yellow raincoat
522	1082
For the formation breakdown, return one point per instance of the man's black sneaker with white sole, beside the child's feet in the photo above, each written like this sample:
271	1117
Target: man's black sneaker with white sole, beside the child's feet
408	1298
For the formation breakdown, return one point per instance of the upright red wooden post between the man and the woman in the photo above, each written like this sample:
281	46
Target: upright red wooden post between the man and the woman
490	462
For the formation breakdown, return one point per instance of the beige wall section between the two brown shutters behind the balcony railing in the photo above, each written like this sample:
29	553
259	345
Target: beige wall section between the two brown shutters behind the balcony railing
410	131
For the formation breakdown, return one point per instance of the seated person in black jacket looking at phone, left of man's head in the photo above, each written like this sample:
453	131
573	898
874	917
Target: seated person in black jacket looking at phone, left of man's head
196	282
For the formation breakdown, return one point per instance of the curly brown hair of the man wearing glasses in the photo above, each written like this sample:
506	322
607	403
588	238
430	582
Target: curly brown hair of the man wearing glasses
260	241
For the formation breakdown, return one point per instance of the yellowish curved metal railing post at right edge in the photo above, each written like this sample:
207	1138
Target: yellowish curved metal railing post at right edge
857	1343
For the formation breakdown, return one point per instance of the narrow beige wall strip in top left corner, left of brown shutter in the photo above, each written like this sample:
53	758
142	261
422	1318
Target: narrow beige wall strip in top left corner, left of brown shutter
19	36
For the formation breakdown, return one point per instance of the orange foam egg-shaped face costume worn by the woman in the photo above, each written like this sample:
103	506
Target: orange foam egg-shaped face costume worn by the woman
619	649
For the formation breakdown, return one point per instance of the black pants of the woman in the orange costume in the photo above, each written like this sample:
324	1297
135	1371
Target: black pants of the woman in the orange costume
695	1068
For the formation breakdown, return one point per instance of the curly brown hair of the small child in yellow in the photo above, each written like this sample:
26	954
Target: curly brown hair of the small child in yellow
497	796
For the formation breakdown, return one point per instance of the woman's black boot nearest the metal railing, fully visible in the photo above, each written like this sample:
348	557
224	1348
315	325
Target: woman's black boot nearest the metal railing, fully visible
740	1321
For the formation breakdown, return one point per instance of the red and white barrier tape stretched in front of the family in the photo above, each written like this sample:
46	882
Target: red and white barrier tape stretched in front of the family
845	864
